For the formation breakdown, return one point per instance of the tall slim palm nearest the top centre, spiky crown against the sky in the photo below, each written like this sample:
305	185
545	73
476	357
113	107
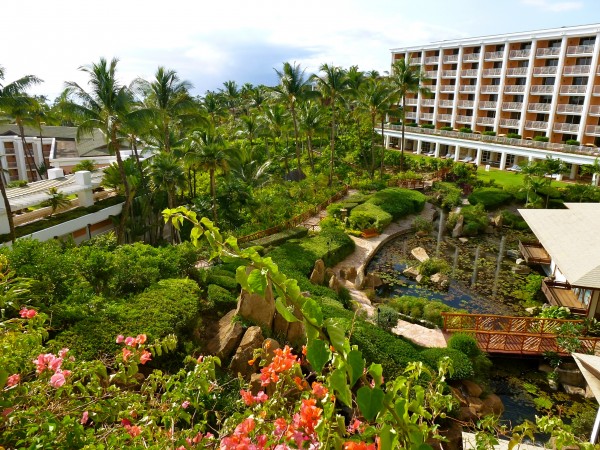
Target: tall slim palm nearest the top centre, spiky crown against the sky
292	89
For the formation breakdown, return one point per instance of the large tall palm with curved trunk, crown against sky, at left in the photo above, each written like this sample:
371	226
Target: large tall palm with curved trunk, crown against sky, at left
106	107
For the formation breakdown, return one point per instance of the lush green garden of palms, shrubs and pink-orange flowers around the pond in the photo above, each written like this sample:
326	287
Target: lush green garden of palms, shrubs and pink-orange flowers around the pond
105	344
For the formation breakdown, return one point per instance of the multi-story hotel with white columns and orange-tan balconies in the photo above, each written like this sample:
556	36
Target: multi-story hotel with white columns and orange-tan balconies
519	85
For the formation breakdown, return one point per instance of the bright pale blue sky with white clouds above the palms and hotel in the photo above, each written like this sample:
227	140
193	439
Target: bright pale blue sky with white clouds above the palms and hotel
211	42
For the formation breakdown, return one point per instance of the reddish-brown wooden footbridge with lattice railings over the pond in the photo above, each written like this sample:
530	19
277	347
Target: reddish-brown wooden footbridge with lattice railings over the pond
518	335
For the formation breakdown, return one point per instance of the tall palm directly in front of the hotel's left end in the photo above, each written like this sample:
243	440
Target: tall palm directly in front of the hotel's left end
406	78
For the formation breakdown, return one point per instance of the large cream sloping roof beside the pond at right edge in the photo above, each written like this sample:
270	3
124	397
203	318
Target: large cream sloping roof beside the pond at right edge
572	238
